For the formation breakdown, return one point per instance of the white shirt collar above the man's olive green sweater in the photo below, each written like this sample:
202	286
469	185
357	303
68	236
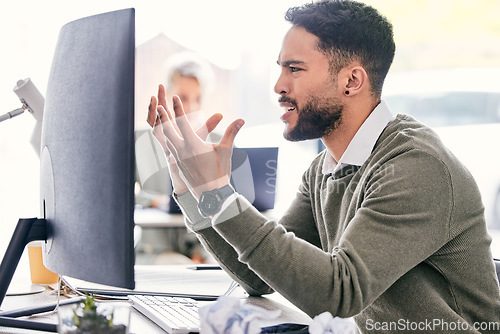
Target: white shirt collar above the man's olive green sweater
361	145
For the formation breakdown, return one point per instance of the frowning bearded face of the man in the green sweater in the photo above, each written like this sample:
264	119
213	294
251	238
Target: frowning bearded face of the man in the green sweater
308	92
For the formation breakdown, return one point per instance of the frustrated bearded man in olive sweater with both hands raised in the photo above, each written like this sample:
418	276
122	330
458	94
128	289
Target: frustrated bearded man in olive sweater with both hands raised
387	226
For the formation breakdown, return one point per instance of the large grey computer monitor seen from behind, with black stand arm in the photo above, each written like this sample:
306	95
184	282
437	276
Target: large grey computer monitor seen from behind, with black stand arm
87	165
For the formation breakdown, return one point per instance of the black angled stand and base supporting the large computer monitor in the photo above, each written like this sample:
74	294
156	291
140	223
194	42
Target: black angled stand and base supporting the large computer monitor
27	230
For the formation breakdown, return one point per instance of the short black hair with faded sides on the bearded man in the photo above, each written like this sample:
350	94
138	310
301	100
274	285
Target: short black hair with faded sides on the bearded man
349	31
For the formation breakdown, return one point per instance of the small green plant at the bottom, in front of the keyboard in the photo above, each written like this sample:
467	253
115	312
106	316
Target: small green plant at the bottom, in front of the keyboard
87	319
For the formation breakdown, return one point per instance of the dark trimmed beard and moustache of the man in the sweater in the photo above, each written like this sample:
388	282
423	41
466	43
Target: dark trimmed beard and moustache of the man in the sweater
318	118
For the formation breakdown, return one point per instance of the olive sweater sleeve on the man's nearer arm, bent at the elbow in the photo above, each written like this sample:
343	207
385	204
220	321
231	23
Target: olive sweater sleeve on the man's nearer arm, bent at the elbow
402	199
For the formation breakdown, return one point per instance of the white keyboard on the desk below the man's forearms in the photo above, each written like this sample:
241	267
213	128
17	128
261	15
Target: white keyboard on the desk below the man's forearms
173	314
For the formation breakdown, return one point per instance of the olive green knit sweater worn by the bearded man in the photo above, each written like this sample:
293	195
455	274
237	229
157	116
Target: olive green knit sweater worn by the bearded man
399	243
